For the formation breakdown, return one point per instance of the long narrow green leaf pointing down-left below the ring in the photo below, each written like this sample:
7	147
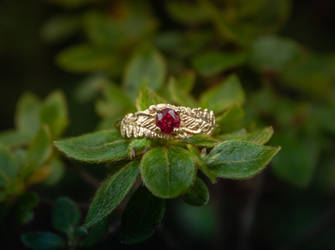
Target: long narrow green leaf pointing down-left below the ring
111	193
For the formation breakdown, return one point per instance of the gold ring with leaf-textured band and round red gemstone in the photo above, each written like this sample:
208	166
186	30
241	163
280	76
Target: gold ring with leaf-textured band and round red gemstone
167	121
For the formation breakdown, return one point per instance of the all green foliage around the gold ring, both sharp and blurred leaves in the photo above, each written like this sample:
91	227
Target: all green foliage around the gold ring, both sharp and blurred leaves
227	56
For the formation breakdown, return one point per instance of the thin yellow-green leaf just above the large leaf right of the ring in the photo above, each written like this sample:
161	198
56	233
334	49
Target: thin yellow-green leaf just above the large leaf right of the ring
260	136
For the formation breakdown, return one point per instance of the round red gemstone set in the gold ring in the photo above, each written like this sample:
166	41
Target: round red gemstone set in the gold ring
167	119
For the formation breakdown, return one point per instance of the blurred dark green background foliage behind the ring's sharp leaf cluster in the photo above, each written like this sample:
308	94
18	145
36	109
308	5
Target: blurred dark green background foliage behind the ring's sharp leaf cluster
101	53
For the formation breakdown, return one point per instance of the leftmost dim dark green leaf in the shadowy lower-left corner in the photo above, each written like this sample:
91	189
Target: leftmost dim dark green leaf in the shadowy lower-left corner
25	207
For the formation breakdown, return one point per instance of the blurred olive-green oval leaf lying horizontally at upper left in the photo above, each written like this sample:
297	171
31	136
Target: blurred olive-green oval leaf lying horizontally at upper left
85	58
